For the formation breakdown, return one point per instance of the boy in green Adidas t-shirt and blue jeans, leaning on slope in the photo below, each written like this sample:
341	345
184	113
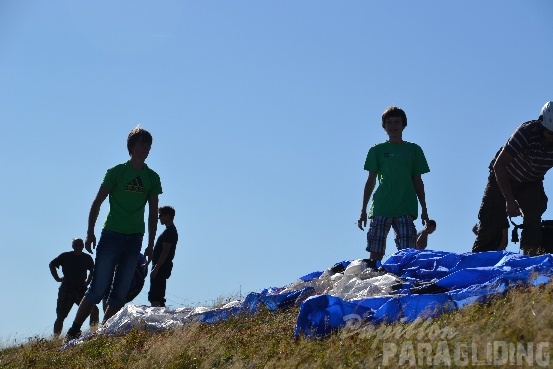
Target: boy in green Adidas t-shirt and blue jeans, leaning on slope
130	186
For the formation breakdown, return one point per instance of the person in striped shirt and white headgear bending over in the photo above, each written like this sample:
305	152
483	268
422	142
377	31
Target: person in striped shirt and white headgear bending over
515	185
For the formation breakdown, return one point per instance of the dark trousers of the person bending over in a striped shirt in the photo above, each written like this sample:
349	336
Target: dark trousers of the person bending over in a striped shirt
532	201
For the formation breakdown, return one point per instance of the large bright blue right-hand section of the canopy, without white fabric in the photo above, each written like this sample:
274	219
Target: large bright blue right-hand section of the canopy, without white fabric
434	282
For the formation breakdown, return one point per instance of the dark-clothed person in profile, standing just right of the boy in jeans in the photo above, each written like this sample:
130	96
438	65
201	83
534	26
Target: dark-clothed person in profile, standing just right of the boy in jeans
162	260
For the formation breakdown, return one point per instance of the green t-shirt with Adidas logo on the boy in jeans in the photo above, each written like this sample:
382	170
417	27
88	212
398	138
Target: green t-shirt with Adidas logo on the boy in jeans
129	190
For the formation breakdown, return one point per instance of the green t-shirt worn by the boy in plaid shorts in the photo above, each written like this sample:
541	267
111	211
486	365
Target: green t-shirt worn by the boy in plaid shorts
395	166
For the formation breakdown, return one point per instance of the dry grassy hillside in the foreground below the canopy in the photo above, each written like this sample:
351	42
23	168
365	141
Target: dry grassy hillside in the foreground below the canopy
514	330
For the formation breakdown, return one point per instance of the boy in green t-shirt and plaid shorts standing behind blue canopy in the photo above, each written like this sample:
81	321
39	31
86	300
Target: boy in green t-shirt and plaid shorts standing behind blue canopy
398	165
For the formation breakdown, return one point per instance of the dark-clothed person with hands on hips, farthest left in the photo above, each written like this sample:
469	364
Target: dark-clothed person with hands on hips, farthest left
74	266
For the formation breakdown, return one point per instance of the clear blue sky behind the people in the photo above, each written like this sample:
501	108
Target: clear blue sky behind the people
262	114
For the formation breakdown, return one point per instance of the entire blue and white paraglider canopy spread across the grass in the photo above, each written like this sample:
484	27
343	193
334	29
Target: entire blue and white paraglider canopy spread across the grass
412	284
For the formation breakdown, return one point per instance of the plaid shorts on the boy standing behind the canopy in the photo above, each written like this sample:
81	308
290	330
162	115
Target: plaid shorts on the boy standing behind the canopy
406	233
